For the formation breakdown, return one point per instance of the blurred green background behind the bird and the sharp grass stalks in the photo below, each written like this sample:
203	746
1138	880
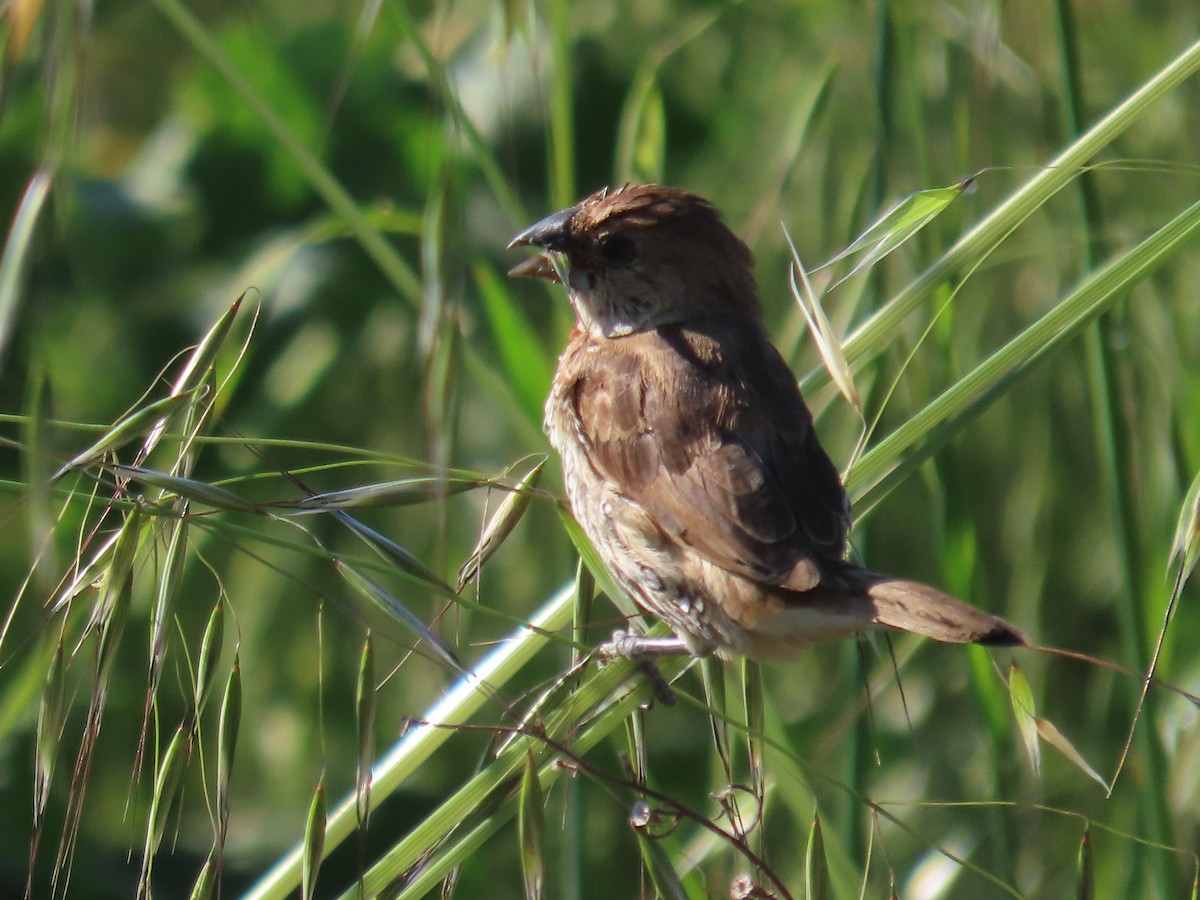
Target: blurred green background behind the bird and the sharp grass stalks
200	152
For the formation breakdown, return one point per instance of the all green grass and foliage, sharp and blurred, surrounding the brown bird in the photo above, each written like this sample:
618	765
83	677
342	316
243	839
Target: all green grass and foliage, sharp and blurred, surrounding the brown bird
266	394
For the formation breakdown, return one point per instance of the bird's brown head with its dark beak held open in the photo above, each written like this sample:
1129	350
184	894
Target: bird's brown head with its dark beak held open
641	257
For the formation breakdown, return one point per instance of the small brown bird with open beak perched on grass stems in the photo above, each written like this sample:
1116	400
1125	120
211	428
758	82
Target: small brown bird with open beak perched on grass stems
689	457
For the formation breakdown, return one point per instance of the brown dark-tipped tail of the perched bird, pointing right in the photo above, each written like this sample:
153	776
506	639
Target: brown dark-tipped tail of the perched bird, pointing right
922	610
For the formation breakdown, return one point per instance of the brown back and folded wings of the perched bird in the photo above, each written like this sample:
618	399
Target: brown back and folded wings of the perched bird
709	433
